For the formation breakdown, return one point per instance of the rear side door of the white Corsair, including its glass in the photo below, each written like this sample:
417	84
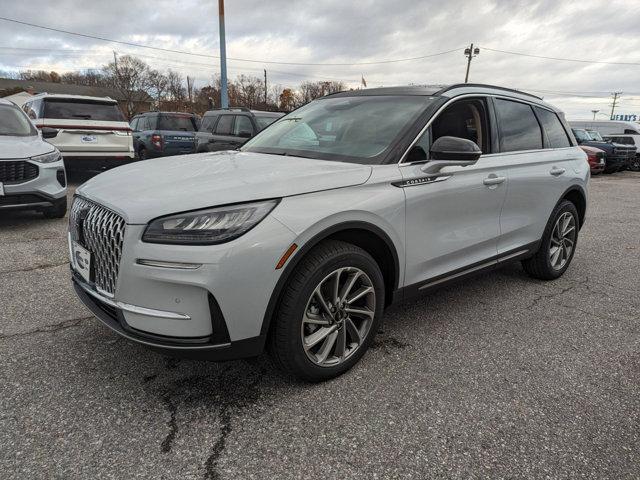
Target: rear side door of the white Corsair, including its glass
540	158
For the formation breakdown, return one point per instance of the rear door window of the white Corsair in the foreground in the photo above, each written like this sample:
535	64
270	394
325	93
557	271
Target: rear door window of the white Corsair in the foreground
519	129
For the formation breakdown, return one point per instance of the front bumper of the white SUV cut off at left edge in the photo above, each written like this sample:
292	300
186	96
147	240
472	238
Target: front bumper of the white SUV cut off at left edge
44	191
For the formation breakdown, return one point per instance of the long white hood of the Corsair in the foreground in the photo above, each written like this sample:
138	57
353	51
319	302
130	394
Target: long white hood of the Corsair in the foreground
145	190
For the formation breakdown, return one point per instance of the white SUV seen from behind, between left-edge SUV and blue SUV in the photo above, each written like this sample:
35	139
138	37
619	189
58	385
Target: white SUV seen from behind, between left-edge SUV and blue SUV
92	132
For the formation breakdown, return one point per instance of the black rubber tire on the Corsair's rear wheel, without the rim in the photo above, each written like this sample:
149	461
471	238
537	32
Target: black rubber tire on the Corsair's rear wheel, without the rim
539	265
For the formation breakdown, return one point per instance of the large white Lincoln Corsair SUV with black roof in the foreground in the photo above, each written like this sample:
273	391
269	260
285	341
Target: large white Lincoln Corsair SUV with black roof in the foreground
300	240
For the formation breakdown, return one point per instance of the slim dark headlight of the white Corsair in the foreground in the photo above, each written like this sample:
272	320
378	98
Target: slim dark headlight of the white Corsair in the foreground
209	226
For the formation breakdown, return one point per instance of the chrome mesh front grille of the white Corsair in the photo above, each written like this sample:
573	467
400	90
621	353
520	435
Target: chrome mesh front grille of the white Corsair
100	231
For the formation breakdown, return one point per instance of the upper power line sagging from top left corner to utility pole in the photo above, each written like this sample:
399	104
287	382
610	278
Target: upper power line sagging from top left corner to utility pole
182	52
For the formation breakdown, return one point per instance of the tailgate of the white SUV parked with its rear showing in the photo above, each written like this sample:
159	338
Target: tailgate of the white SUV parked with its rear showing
87	126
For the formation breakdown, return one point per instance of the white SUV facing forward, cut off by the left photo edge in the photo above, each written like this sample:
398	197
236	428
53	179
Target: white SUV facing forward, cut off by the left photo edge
32	173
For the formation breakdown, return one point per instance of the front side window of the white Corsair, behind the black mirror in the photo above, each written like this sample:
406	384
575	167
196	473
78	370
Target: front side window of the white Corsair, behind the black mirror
464	119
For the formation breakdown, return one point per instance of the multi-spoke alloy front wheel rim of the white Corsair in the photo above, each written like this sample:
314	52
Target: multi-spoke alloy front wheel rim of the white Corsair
338	316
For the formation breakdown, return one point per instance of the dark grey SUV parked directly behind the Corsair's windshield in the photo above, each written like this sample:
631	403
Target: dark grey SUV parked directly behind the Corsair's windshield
229	129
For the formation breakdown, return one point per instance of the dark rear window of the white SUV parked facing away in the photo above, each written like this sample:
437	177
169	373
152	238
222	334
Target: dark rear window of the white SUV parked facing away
81	109
